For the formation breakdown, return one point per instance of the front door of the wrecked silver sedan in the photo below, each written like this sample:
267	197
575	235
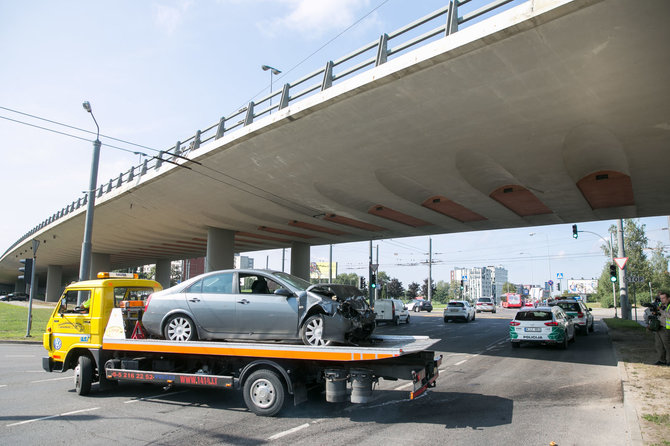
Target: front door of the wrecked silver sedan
263	313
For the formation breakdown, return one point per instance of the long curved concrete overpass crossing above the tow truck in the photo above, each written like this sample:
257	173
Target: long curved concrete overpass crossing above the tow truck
554	111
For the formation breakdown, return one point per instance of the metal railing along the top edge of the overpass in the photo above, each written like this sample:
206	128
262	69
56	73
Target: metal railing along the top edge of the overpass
438	24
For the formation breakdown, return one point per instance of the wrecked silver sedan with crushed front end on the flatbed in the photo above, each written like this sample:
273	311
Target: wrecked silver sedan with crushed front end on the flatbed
258	305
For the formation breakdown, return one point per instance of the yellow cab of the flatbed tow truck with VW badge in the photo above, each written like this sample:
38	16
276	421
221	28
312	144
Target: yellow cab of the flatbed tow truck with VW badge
77	325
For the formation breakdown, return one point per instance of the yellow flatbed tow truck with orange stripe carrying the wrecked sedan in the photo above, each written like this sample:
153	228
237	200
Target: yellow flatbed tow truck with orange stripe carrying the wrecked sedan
104	343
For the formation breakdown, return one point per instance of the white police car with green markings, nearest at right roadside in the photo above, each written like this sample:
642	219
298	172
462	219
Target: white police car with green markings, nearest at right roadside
545	325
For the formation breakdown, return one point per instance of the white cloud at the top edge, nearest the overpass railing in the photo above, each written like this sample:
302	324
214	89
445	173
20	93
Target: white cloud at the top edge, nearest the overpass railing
314	18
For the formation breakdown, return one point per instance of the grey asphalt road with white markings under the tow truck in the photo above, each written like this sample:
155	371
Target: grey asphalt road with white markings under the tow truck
488	393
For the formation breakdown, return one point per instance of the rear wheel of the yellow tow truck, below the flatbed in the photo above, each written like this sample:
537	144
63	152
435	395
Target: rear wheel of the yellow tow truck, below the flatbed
264	393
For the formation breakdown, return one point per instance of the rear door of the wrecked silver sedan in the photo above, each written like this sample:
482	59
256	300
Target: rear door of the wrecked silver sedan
212	303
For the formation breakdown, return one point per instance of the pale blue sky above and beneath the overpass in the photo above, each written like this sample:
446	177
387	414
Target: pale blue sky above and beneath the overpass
156	71
